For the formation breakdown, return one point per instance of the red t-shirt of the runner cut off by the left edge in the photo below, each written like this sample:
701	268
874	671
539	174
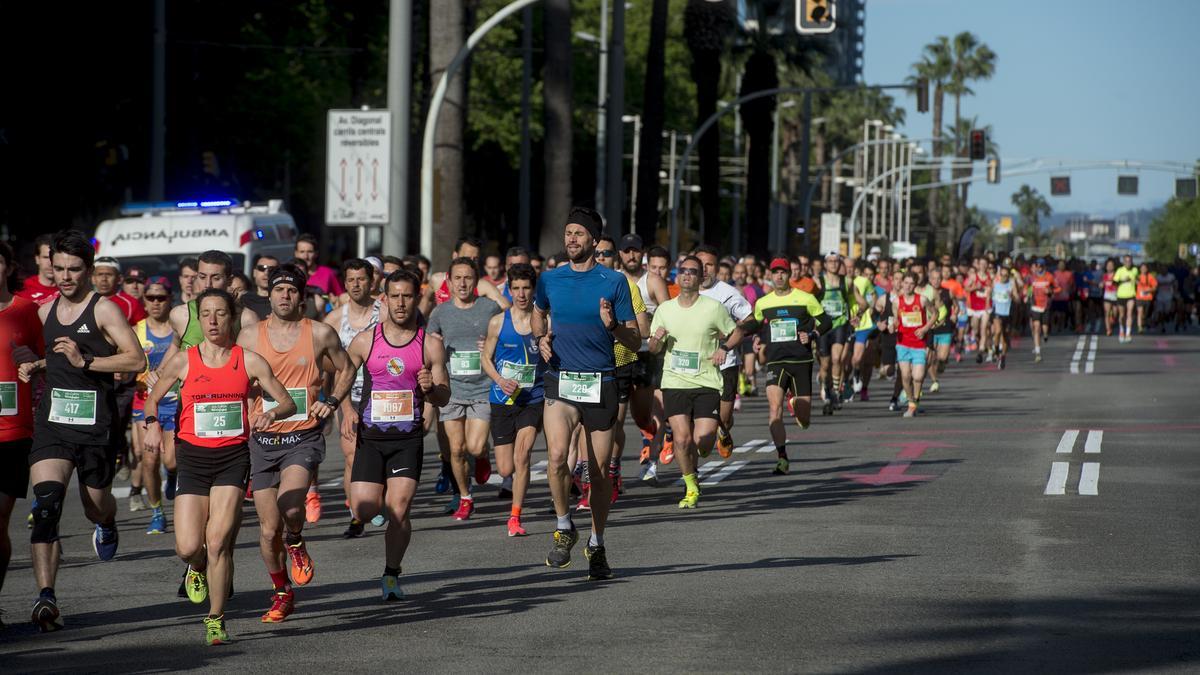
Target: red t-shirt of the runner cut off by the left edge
21	327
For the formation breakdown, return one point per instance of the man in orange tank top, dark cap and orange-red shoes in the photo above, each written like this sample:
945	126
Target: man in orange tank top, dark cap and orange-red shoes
284	457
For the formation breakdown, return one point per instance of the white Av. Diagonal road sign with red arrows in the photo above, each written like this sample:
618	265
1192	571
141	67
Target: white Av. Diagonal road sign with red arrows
357	168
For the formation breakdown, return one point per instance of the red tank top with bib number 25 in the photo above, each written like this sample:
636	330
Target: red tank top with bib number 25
213	402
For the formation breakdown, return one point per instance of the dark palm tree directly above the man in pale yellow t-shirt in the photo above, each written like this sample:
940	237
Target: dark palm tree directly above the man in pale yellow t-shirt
707	25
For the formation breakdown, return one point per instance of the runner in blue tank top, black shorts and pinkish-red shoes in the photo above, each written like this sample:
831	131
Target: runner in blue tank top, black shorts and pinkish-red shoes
513	362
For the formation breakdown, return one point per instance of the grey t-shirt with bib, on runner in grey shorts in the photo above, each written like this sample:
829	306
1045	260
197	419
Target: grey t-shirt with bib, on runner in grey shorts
461	331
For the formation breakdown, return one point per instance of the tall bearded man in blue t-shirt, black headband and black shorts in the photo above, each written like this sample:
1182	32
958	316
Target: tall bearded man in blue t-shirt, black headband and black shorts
589	307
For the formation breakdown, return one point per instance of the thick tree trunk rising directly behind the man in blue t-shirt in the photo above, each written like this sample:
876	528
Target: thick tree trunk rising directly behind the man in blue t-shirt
557	123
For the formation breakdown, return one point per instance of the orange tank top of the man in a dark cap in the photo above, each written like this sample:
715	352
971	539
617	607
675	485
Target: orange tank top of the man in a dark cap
297	371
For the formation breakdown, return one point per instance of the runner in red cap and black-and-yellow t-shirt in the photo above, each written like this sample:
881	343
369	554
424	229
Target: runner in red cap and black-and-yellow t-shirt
790	322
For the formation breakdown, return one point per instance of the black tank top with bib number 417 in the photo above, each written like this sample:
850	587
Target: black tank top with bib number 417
77	408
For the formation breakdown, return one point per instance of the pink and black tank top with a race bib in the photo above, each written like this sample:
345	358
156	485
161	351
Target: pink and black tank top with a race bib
392	399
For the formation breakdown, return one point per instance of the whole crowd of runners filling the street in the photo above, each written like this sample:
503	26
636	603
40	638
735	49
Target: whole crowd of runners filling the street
212	390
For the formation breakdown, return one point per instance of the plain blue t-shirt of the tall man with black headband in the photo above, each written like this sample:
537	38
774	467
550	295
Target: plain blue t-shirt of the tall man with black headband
583	343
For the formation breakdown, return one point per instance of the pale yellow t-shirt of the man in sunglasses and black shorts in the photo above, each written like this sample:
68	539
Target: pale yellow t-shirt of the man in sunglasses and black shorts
694	334
